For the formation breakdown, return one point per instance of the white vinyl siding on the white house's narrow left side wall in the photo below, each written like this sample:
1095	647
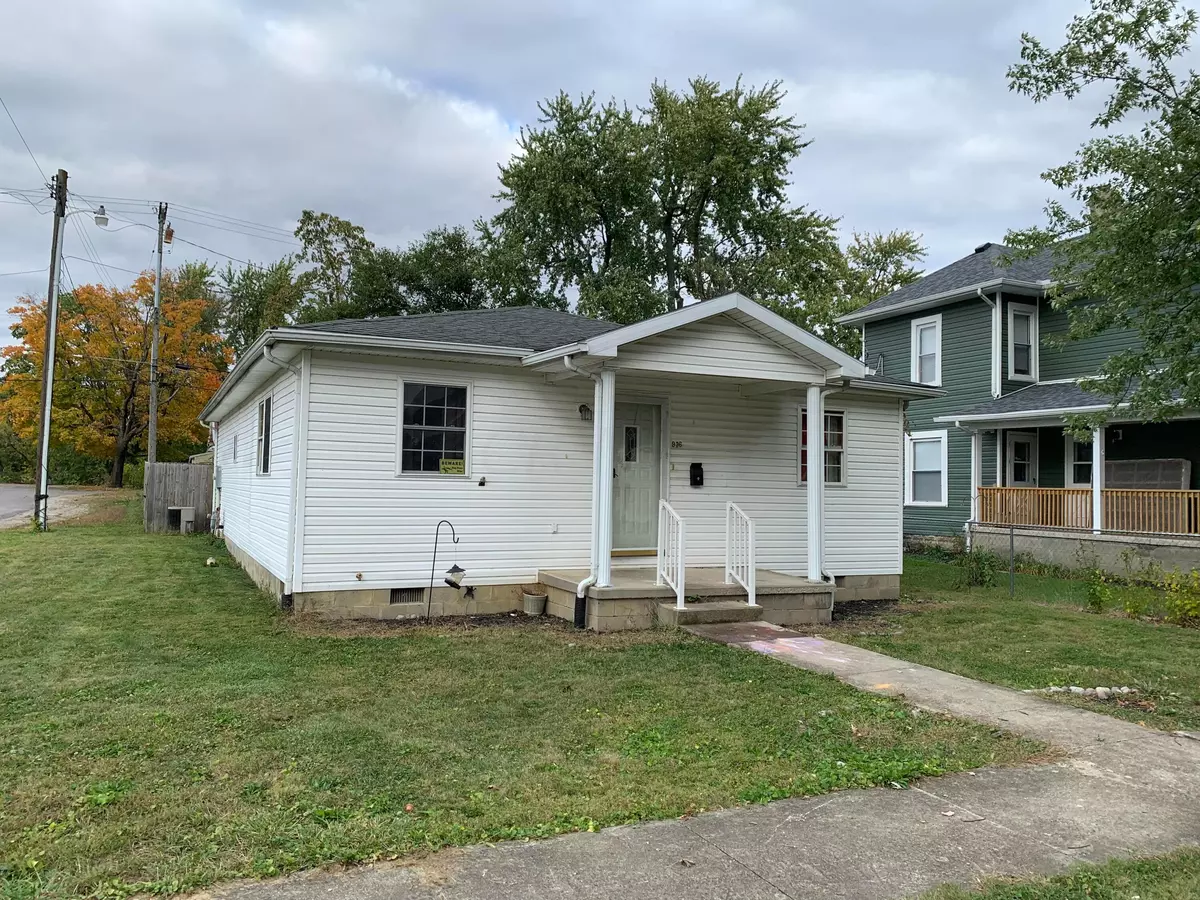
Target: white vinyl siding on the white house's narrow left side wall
255	509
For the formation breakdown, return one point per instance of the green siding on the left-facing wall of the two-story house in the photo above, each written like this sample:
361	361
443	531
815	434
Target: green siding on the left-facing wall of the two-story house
967	376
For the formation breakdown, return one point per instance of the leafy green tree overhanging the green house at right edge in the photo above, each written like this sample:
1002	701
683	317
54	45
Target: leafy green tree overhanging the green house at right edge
1129	237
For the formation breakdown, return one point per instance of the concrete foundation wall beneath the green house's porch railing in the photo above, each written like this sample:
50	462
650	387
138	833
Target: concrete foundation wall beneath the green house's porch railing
1118	554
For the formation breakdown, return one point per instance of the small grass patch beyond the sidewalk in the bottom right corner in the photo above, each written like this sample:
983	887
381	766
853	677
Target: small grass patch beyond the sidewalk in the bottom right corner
1172	878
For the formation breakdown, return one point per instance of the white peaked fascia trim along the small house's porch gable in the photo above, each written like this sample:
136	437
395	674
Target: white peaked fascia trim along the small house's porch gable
608	345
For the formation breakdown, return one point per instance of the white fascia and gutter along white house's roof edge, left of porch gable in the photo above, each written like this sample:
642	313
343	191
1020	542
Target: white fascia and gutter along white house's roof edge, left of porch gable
295	340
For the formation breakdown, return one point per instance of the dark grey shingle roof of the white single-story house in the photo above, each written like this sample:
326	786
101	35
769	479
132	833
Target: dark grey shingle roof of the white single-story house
529	328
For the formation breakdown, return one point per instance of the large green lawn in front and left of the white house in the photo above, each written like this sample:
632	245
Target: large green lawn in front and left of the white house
166	728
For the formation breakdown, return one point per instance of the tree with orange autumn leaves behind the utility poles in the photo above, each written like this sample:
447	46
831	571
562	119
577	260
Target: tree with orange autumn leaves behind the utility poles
103	373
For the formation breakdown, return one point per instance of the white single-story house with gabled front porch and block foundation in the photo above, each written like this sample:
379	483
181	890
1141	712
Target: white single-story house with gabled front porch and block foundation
631	470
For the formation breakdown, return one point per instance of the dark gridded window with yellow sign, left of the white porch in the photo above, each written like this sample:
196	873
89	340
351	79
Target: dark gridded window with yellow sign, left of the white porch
434	431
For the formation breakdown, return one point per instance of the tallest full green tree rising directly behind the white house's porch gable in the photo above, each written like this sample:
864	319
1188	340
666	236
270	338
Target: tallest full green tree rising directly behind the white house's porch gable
641	211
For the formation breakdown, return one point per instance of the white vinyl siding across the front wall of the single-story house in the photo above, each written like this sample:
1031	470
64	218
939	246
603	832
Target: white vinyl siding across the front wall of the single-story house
533	449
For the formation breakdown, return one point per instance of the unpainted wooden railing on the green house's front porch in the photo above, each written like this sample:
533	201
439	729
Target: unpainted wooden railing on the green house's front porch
1149	512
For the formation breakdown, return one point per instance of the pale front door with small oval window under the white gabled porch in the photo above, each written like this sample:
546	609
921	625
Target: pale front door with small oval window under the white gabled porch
637	477
